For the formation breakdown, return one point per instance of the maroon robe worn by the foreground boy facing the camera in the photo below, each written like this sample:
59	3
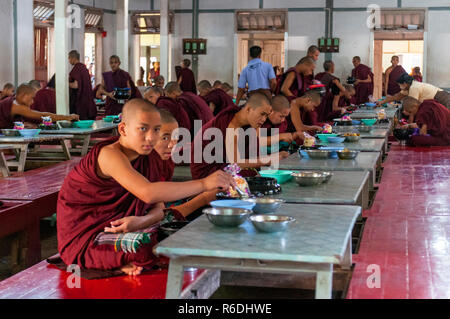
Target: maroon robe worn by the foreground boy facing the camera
87	204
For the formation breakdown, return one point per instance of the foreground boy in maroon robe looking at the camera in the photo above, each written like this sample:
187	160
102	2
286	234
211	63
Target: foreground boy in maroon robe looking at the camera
115	189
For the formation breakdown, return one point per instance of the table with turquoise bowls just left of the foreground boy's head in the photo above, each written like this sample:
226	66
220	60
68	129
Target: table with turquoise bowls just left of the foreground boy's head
82	137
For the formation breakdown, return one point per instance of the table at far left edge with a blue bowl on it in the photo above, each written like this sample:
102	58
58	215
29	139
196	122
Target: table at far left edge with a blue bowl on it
24	154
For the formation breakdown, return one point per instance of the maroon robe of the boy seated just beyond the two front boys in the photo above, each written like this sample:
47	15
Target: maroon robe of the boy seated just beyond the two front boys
221	121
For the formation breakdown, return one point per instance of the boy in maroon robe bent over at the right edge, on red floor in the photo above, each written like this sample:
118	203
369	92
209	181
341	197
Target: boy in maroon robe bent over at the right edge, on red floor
433	120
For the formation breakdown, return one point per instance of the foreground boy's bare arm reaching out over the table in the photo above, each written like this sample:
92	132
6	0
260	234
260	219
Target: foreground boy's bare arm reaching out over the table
114	164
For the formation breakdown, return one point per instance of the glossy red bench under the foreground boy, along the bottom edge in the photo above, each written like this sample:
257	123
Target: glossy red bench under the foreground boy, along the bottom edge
44	281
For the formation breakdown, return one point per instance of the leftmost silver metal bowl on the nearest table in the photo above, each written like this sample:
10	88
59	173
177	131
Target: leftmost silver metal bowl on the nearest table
227	217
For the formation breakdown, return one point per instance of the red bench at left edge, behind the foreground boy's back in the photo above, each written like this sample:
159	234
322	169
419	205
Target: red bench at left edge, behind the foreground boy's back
31	196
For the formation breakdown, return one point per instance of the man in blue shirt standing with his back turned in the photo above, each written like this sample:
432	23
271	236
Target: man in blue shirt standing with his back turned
259	76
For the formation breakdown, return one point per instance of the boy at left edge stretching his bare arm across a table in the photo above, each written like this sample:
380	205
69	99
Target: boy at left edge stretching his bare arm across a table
14	109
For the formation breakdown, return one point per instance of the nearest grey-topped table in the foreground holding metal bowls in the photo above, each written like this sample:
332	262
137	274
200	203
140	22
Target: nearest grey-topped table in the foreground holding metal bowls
320	238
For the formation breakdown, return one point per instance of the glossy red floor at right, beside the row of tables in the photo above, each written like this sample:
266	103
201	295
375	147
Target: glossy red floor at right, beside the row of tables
407	233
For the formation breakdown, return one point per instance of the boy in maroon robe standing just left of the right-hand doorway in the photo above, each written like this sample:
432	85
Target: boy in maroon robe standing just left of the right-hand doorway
364	81
